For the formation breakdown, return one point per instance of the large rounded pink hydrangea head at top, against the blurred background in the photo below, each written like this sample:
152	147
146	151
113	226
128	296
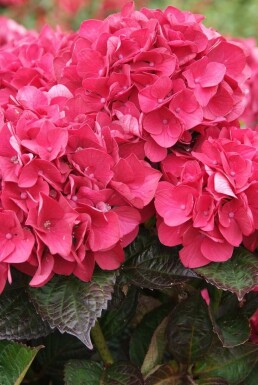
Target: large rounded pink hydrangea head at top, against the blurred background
157	75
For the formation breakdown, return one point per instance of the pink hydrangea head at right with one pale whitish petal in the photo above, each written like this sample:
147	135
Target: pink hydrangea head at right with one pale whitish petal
207	200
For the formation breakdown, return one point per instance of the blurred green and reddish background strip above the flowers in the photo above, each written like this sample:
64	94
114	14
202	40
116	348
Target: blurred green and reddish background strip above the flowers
237	18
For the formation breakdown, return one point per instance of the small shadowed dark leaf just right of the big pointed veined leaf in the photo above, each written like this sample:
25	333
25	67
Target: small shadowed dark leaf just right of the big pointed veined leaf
120	311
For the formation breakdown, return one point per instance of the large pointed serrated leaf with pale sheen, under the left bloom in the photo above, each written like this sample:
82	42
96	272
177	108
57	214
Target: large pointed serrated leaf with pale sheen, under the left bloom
72	305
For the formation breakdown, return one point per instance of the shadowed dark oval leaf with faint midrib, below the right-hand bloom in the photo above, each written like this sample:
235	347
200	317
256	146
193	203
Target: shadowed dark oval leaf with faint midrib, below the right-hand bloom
190	330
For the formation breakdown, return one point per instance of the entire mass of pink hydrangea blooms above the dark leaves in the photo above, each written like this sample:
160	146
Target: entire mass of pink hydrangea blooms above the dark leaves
85	120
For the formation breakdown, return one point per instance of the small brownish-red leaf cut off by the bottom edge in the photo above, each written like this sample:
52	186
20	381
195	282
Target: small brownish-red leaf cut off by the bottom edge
165	375
